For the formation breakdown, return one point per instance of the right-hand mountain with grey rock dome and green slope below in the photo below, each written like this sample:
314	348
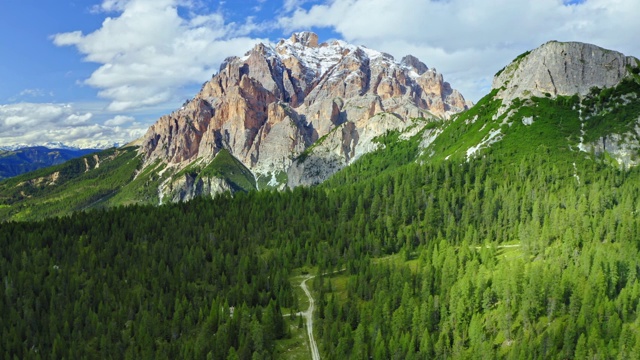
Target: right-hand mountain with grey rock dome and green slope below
570	100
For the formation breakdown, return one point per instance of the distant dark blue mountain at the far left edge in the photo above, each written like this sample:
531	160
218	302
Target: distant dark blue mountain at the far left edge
22	160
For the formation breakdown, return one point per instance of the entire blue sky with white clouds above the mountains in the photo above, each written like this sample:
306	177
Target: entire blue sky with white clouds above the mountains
90	73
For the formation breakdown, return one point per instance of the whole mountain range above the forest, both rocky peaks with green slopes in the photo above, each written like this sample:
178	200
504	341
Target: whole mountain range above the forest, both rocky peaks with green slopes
251	128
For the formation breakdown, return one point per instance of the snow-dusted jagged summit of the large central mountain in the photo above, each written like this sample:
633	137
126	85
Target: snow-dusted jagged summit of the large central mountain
299	65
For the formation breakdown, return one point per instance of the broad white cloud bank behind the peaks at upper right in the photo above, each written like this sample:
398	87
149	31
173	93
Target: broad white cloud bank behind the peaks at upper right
469	40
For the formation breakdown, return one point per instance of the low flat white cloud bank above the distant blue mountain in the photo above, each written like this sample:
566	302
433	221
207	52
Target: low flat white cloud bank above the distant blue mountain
44	123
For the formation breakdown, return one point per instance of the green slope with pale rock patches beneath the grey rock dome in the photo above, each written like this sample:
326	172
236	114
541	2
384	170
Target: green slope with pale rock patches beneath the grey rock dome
552	126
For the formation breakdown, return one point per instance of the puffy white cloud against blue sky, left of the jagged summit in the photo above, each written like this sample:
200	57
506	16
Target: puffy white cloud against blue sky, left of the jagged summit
149	50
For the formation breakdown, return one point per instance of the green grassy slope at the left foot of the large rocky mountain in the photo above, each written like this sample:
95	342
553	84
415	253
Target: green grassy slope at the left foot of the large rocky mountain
80	185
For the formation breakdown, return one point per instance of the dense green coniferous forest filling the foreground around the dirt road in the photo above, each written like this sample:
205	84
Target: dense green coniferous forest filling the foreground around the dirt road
491	258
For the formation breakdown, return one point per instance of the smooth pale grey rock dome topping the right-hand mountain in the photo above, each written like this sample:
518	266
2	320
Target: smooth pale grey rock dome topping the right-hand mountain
562	68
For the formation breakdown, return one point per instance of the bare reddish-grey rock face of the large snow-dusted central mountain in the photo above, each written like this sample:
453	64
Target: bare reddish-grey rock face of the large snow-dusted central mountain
267	107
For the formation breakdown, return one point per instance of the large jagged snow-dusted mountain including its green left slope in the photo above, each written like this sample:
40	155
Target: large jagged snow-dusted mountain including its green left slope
285	114
